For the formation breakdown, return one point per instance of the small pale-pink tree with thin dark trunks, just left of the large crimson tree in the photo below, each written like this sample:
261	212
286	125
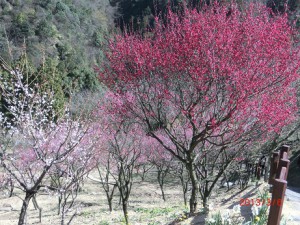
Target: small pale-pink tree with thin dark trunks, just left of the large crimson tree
120	151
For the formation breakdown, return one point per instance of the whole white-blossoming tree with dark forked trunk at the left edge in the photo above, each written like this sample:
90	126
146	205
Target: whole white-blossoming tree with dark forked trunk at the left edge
35	142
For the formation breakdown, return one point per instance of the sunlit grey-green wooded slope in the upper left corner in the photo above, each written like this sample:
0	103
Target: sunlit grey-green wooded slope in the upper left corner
68	33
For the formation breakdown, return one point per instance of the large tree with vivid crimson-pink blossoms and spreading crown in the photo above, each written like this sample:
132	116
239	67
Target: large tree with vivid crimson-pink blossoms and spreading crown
206	84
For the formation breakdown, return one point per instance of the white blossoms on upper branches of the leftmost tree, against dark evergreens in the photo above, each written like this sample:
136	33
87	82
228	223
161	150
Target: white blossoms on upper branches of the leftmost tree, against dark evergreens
25	105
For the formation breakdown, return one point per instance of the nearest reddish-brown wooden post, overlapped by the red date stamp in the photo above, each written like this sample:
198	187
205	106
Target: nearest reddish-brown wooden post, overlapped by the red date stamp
277	200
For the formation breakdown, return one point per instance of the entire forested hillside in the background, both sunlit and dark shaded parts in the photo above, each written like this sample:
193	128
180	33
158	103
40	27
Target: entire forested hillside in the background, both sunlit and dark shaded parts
60	41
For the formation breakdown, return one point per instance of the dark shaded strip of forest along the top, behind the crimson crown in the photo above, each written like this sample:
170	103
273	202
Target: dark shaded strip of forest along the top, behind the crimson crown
139	14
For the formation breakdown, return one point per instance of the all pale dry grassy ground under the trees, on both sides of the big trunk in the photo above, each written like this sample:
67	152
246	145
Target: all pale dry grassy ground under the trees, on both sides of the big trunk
146	206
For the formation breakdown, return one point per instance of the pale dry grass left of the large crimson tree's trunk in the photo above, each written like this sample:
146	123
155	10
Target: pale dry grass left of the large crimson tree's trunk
145	205
